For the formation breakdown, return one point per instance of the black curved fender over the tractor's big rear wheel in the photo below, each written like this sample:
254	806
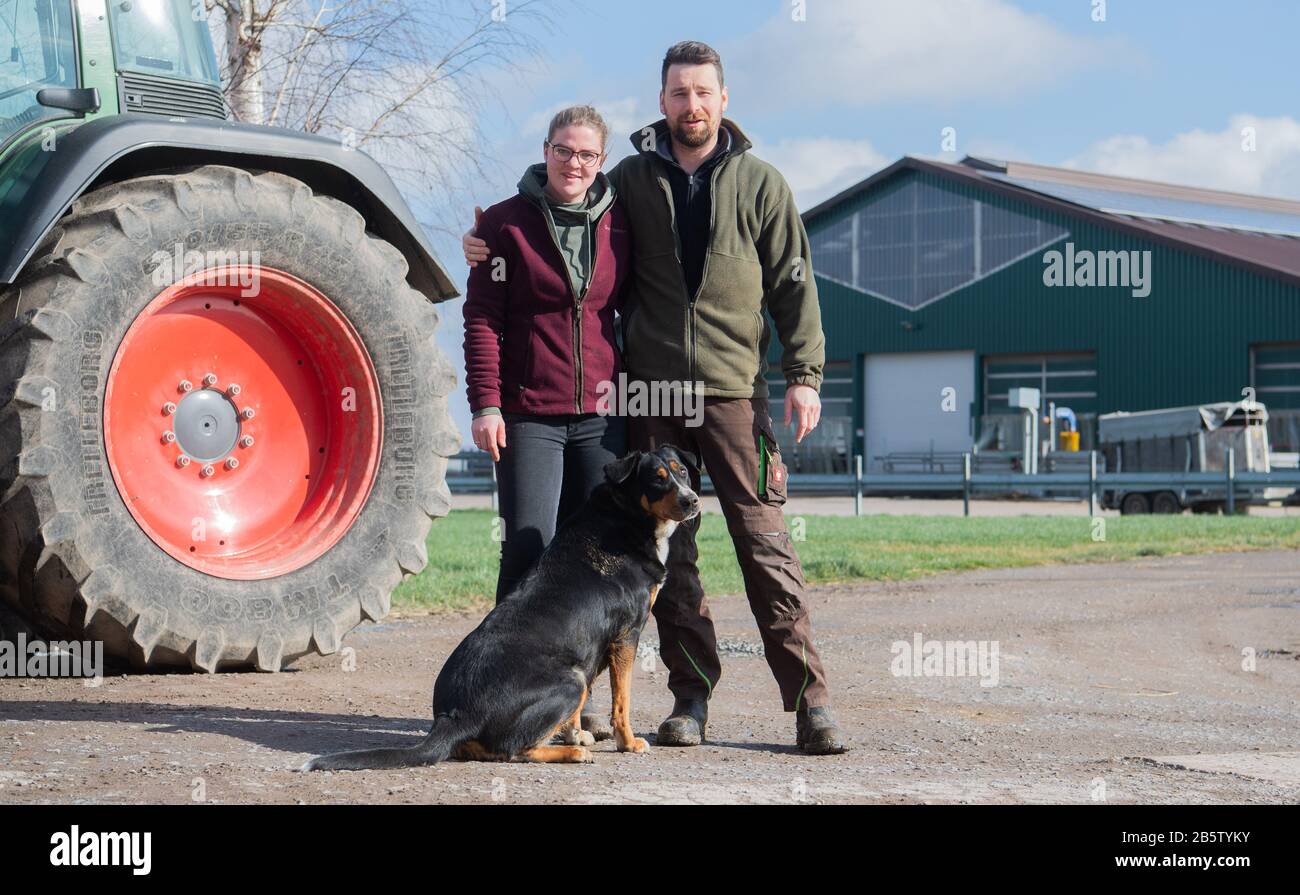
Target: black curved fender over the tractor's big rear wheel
114	149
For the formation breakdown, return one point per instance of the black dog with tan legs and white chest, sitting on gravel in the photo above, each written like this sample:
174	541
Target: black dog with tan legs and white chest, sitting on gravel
523	676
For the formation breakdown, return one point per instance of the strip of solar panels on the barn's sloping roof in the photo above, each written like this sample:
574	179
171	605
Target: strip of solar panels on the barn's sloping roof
1169	210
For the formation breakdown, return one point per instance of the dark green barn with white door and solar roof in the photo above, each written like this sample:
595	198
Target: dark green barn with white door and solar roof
946	286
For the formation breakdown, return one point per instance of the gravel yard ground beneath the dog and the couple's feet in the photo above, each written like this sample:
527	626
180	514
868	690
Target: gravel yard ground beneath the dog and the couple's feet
1123	682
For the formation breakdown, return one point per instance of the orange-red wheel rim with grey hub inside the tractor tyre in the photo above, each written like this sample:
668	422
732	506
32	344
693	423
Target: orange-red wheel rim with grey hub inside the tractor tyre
244	427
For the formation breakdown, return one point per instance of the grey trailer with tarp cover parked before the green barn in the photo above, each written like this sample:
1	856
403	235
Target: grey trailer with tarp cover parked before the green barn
1186	440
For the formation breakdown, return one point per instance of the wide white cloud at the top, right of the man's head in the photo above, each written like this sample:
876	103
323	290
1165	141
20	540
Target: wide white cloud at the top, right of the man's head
859	54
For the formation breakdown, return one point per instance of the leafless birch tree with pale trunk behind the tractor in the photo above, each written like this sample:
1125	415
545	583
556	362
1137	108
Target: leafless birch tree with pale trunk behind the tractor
405	80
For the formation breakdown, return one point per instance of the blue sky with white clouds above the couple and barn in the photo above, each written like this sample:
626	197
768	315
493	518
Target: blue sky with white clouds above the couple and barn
1188	92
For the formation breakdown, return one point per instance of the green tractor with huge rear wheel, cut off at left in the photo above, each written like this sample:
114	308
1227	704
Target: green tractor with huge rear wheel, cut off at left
224	426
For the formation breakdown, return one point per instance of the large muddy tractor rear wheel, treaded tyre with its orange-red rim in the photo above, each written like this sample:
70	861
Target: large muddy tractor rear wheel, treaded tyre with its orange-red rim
241	319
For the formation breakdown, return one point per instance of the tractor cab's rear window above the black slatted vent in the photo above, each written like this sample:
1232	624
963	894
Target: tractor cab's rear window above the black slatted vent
166	38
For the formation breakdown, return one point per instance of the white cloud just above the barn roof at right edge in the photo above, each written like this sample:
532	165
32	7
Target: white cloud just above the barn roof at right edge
1210	159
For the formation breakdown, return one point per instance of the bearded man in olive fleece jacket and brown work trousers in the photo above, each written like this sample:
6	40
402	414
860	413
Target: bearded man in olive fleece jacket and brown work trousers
718	240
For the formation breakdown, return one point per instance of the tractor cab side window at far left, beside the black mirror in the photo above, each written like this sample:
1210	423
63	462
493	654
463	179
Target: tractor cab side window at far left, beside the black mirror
37	51
